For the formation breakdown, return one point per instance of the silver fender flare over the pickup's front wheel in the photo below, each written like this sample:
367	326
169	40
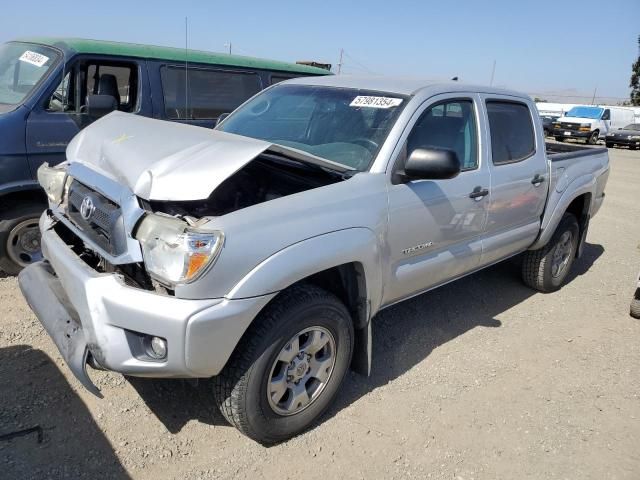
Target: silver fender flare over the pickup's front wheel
313	255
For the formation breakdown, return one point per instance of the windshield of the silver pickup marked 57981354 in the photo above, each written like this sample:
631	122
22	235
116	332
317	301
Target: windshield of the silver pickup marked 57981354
345	125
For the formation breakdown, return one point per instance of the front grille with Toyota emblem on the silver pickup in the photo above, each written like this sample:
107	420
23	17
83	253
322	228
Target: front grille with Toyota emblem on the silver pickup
103	224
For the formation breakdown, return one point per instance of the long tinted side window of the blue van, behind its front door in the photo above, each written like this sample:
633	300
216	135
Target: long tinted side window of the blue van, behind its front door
211	92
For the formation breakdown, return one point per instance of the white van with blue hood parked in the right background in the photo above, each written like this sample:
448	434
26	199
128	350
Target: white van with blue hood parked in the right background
591	123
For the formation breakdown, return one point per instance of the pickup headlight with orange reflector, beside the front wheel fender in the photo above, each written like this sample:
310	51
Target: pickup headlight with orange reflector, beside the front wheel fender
175	252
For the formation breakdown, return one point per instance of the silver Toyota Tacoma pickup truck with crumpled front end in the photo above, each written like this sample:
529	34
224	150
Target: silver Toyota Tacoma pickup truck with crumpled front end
260	252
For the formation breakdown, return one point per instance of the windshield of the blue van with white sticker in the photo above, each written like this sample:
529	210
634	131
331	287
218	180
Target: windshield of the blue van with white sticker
22	66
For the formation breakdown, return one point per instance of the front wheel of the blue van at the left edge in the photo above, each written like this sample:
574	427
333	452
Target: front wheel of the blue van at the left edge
23	217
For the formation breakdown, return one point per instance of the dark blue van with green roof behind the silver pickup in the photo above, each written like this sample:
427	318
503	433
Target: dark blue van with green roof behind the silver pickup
50	89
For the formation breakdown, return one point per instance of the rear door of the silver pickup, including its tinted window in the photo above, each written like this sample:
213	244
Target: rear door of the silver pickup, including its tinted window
519	179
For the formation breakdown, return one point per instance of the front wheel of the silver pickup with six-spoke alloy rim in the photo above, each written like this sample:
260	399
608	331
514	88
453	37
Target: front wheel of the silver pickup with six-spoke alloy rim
288	367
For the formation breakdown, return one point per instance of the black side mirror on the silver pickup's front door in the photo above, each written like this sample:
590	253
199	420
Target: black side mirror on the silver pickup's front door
431	164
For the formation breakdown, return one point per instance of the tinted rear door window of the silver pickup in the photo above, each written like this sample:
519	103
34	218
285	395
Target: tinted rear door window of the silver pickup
511	128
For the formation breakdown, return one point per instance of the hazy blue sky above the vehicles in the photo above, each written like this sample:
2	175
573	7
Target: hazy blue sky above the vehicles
562	47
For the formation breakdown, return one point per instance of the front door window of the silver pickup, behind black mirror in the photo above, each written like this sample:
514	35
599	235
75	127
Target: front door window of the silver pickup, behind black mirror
449	125
